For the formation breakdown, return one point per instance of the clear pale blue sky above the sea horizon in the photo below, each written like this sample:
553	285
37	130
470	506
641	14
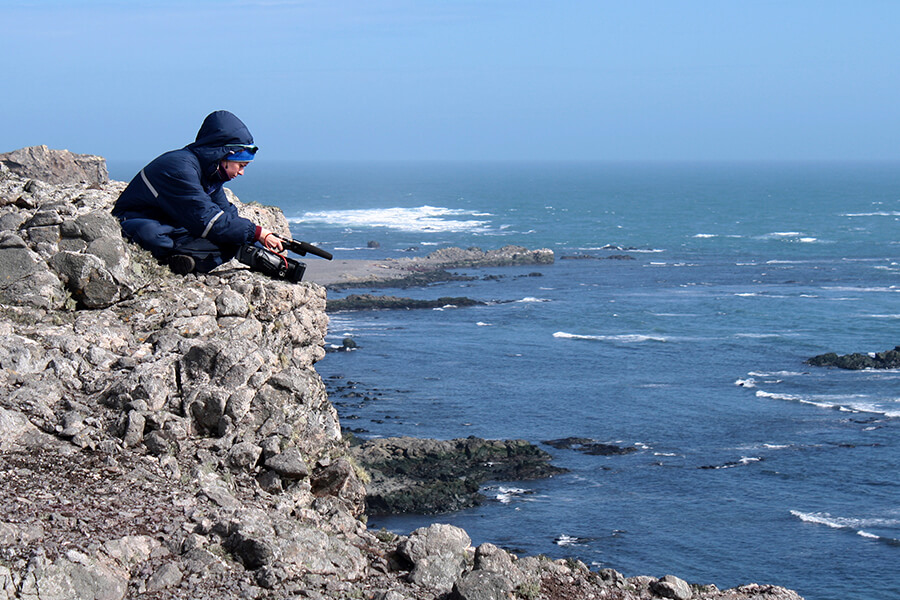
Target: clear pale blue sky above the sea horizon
458	79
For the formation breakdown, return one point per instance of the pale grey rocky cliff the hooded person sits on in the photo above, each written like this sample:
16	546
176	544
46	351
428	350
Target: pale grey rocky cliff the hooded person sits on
169	437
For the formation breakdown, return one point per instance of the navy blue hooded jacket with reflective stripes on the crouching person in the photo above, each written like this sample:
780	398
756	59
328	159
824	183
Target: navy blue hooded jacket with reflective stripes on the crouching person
182	191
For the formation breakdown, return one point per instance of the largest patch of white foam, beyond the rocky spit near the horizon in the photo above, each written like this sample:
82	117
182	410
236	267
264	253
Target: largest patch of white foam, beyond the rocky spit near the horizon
426	219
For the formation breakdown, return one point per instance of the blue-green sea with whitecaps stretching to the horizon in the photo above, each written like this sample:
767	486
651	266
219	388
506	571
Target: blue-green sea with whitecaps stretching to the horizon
674	323
